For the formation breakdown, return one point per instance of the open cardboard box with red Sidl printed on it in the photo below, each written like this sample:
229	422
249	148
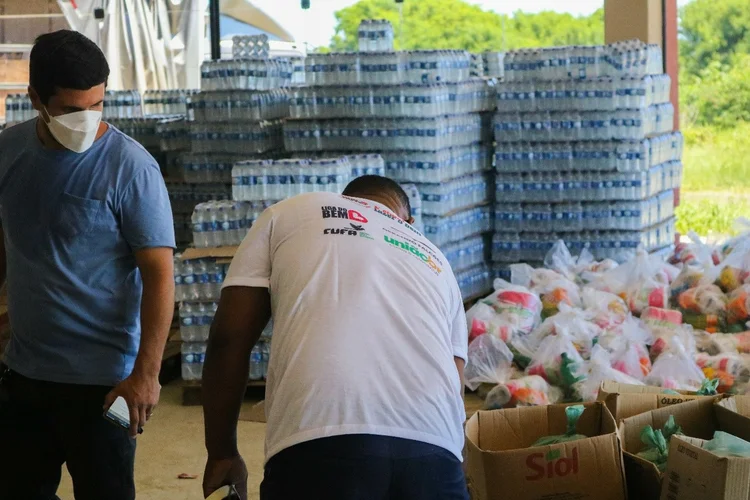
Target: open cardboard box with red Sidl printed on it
501	465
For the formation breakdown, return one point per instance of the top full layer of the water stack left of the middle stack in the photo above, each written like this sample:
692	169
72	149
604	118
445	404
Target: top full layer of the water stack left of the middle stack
247	74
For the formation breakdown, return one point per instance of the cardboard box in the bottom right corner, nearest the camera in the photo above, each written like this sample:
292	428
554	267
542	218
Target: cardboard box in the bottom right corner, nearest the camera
694	473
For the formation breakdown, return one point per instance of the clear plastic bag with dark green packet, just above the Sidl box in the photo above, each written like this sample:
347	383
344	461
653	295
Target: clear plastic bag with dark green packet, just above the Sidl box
556	360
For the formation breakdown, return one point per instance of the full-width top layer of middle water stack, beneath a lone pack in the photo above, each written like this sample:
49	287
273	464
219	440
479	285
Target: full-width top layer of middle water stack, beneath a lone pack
386	67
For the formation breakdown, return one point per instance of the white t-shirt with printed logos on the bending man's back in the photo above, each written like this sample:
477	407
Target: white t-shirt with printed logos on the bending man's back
367	318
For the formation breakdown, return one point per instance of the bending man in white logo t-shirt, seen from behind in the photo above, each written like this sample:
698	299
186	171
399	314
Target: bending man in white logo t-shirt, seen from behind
363	399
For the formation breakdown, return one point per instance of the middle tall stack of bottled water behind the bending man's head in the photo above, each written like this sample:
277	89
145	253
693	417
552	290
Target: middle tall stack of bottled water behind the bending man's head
421	111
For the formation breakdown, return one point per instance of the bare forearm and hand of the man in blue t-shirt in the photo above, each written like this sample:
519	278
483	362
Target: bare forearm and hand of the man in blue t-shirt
141	389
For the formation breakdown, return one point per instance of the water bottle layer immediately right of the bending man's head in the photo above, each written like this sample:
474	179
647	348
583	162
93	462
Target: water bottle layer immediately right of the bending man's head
456	194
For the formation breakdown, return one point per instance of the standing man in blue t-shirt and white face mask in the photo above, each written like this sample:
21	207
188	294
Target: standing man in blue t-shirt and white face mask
86	249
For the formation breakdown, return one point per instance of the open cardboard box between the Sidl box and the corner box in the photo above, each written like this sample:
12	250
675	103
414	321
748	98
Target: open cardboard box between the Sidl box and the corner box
699	418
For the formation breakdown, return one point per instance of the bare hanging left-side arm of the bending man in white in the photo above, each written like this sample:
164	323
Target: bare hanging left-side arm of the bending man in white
242	315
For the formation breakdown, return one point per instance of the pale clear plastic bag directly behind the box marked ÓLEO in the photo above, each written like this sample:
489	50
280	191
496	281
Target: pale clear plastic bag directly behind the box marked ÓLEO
676	369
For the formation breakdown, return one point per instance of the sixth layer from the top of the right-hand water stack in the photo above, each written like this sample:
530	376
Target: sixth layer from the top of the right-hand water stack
587	216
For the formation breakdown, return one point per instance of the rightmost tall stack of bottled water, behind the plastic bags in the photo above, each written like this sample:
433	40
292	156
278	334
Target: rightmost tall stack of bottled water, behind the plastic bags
585	152
